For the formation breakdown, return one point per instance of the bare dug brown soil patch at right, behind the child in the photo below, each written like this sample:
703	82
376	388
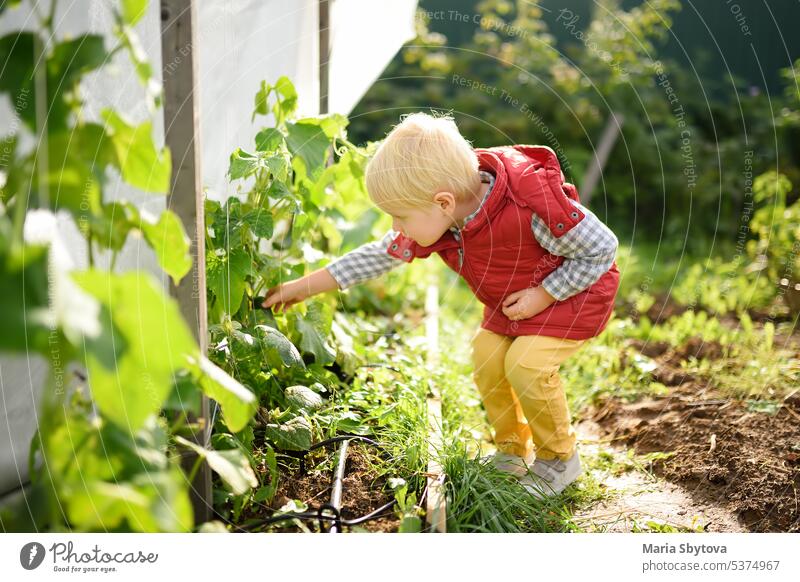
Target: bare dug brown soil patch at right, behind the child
746	462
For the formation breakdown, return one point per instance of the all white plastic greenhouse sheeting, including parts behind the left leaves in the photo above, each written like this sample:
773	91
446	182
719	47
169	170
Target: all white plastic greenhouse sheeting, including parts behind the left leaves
240	42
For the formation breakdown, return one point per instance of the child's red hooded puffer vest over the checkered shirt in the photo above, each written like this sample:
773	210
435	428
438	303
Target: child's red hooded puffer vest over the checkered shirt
499	255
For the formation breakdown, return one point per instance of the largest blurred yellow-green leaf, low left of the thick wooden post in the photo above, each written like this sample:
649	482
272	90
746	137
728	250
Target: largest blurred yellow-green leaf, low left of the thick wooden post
130	383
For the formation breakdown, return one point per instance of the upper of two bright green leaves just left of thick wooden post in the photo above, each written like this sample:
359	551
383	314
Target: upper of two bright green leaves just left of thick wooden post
140	162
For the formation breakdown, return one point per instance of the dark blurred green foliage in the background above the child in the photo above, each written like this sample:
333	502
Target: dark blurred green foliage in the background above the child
695	100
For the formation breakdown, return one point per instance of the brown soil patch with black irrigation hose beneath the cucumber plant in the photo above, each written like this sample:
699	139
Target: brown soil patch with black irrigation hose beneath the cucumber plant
362	492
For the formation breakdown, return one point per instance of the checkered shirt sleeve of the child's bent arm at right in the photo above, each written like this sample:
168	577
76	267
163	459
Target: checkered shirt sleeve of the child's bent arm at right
589	249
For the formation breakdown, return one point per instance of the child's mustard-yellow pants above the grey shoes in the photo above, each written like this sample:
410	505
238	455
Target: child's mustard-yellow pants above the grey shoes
521	390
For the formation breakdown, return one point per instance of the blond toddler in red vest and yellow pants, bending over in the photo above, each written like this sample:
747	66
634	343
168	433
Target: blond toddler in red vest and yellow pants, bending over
542	264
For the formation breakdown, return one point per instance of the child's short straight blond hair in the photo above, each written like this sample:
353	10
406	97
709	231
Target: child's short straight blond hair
421	156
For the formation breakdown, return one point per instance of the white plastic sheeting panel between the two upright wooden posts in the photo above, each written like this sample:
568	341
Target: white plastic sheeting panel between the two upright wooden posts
241	44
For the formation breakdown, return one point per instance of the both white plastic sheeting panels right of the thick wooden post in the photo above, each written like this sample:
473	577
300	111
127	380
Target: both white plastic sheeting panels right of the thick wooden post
244	42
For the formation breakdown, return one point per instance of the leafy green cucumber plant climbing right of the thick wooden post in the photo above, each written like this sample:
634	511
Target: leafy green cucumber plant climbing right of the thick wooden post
291	186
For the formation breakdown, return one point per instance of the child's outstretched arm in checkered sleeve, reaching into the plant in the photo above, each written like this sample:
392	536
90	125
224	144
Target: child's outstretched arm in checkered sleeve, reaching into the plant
368	261
